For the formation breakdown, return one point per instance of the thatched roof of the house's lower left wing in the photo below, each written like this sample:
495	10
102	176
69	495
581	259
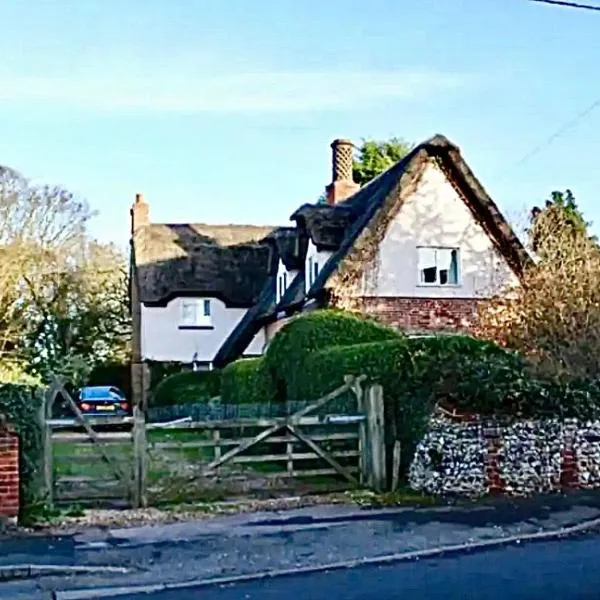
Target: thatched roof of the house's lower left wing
223	261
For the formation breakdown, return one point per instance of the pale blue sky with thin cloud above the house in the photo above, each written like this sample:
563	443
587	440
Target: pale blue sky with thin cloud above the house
223	111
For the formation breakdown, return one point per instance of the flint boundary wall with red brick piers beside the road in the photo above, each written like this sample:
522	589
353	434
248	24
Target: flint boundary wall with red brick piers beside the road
474	457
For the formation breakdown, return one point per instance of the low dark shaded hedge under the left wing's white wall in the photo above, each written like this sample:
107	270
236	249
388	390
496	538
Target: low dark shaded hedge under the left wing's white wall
187	387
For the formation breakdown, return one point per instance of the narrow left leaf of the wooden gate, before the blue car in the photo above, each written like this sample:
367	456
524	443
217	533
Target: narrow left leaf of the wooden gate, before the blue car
87	460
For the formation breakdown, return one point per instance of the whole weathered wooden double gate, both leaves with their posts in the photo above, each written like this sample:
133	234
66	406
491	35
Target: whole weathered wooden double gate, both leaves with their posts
112	461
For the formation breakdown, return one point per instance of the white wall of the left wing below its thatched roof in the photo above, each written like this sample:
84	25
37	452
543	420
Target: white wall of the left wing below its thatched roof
162	340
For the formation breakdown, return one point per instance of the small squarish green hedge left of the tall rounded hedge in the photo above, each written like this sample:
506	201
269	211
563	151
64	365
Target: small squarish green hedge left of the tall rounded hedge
247	381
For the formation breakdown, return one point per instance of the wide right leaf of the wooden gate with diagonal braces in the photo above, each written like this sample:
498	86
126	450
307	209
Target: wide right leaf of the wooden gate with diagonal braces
315	446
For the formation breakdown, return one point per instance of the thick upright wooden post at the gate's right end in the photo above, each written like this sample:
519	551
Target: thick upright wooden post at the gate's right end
374	459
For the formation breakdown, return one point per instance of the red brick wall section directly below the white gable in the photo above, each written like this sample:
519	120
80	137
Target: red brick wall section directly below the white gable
423	314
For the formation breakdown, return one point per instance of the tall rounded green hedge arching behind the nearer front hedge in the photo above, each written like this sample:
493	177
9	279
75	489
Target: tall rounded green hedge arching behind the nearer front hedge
313	332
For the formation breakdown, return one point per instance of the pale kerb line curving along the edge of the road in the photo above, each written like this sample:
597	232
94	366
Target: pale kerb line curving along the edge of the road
116	591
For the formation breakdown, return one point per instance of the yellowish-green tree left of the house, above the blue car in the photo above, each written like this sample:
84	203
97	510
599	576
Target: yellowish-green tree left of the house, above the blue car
82	319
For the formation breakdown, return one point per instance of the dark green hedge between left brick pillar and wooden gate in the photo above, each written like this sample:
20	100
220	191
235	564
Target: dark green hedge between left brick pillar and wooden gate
21	406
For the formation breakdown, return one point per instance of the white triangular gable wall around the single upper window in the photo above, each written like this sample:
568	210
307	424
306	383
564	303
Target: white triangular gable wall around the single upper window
435	215
